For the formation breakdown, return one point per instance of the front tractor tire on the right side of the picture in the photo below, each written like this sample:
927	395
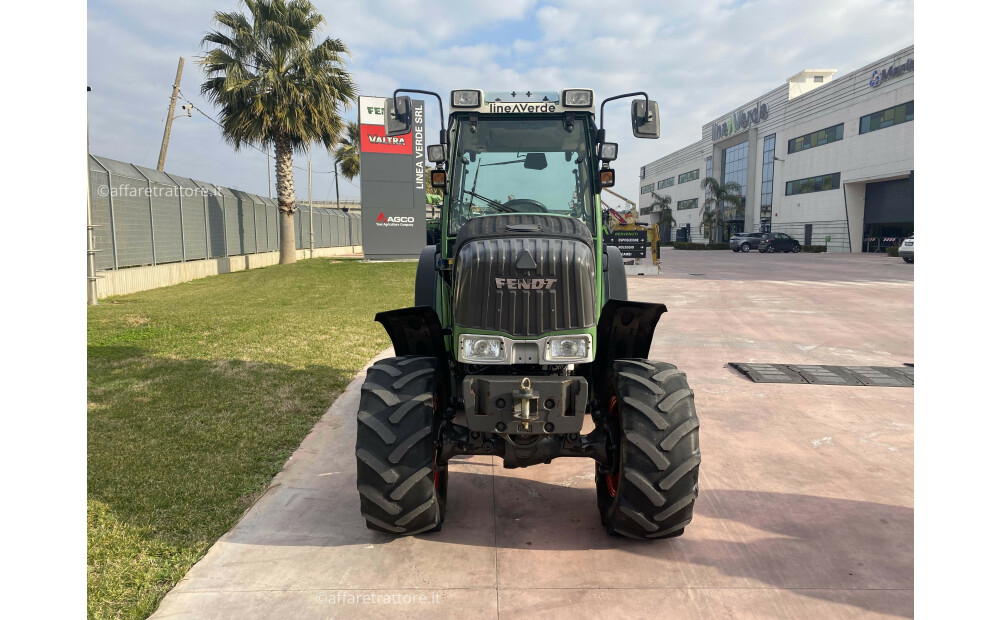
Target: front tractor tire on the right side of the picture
652	491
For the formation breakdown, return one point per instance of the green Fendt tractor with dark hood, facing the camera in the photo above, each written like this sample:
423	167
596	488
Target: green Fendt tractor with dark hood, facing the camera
521	326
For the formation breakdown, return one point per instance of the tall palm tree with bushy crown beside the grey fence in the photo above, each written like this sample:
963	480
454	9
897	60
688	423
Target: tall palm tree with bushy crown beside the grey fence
277	86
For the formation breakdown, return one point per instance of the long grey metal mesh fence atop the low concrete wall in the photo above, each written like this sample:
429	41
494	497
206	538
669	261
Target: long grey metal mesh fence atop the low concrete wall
147	217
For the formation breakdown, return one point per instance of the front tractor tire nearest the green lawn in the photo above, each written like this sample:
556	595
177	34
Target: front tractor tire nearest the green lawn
402	492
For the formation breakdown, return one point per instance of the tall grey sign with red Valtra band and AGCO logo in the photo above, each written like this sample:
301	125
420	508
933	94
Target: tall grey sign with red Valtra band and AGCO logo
392	183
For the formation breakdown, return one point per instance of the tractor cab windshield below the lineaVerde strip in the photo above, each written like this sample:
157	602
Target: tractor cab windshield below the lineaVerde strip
521	166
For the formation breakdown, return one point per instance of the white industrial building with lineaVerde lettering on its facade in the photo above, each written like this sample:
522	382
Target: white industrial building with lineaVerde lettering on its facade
825	159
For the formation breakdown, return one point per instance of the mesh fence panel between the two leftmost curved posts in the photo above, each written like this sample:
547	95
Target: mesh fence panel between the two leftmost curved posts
133	226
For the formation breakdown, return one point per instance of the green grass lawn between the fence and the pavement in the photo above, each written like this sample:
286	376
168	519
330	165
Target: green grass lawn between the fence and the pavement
196	396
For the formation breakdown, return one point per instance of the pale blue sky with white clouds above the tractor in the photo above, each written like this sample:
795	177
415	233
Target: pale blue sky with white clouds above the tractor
699	60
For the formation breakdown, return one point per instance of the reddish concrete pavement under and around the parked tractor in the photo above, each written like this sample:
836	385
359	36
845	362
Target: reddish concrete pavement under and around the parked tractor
806	504
